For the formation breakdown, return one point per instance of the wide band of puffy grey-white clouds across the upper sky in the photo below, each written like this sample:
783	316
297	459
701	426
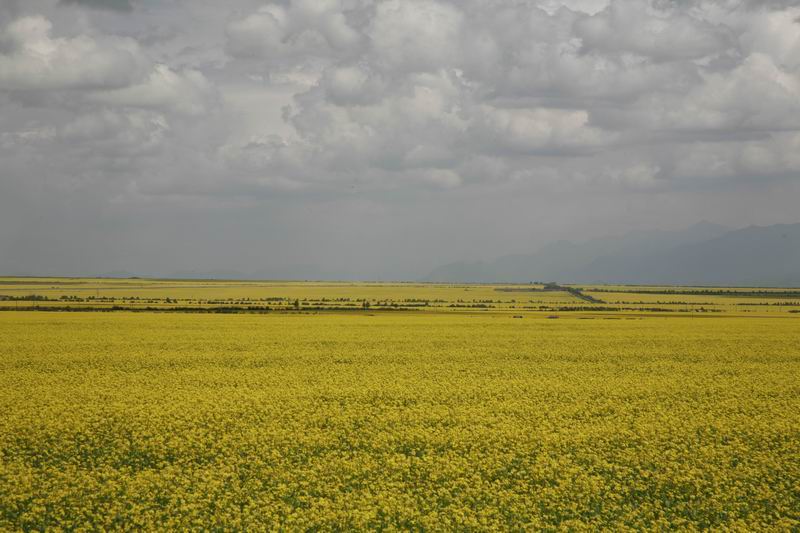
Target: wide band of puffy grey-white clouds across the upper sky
418	93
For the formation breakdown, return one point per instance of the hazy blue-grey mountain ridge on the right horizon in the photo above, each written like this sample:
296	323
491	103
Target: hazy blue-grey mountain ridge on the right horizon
703	254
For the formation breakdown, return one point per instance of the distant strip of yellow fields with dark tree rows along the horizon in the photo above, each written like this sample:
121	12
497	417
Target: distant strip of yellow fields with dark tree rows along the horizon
186	295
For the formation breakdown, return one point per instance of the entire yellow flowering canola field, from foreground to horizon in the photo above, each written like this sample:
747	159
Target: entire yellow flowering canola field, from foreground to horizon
139	404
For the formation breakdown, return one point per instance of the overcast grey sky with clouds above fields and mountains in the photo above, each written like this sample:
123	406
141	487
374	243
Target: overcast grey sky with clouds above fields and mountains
378	139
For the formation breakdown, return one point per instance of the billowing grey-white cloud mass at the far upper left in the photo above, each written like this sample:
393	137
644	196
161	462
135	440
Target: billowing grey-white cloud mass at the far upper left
88	108
